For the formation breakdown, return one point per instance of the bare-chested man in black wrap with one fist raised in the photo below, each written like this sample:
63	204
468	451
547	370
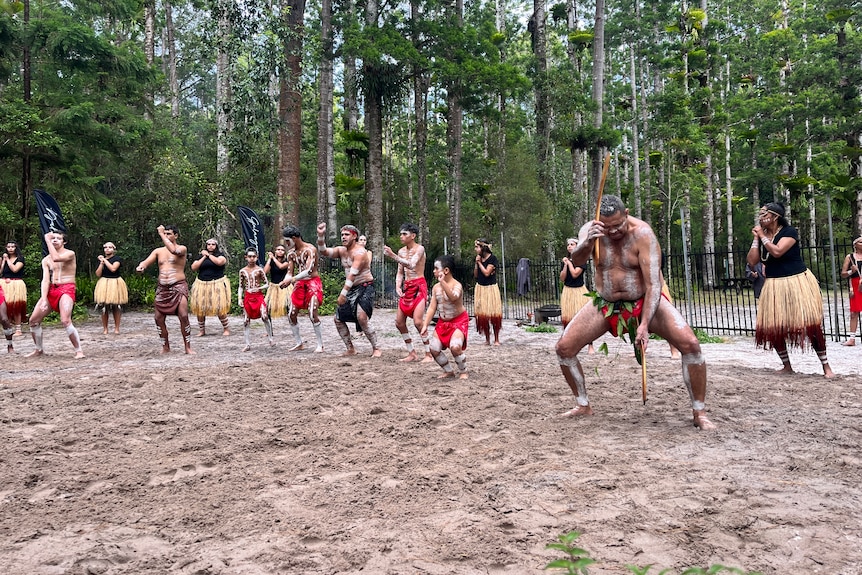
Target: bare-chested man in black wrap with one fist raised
356	300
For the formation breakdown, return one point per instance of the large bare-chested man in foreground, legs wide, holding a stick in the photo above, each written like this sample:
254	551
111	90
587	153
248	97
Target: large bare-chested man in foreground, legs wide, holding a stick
628	279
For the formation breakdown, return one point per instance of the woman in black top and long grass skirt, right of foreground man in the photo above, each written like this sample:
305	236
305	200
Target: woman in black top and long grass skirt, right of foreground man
790	307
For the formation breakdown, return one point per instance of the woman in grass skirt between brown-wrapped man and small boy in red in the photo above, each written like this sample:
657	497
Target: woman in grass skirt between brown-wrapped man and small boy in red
211	290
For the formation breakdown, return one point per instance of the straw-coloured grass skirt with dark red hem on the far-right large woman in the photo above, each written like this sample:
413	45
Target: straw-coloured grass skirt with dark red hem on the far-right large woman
789	310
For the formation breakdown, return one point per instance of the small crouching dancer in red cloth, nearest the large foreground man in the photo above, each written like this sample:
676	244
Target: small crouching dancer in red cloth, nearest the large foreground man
453	323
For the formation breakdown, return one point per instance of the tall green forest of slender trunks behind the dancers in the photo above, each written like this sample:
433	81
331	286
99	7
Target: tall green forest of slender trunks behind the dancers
474	119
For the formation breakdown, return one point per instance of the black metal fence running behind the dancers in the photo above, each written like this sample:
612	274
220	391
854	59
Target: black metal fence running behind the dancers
724	306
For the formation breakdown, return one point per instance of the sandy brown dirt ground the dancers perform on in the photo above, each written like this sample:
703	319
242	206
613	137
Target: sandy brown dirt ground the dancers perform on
225	462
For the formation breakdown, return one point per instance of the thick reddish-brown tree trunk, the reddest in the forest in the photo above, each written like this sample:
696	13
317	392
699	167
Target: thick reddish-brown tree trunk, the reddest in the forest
290	116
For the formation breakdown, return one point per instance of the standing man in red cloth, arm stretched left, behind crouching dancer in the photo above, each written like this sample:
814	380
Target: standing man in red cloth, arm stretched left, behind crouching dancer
412	296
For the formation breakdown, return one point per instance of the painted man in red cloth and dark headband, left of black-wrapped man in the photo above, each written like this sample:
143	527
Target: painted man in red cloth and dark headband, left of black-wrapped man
307	285
